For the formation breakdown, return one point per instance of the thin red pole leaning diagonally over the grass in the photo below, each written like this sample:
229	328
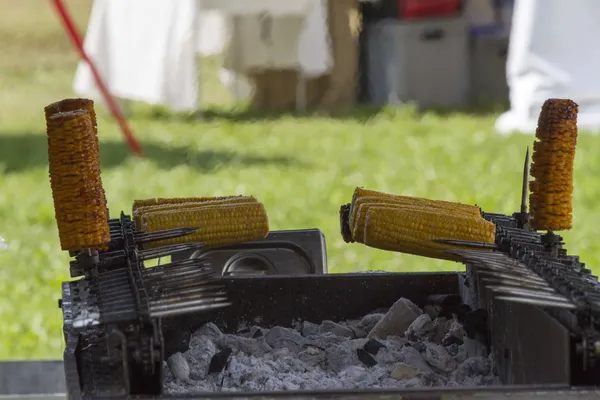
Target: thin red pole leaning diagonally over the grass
110	101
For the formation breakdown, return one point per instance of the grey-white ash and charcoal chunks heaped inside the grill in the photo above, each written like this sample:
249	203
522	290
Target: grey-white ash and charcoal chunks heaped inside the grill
401	348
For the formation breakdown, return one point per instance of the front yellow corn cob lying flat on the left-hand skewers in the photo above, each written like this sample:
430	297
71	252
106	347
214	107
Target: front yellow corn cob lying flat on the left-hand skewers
217	225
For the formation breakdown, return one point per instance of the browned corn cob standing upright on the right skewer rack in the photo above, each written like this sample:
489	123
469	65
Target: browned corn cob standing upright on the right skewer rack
550	200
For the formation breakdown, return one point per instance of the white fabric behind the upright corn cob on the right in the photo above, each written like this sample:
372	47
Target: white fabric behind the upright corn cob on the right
554	53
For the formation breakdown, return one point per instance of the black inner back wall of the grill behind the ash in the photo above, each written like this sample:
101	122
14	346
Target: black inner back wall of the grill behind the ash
283	300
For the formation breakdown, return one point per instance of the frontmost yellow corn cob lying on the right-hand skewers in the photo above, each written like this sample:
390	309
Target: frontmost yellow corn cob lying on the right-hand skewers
413	230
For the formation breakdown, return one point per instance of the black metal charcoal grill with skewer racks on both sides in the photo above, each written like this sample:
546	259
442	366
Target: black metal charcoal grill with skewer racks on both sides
539	312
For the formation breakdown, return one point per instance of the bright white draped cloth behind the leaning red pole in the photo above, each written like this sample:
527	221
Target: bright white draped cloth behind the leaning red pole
144	50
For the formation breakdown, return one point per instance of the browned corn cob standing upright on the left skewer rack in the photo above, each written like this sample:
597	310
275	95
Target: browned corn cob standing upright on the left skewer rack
79	199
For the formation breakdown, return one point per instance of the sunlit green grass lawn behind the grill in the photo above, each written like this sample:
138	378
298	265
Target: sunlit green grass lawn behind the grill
301	168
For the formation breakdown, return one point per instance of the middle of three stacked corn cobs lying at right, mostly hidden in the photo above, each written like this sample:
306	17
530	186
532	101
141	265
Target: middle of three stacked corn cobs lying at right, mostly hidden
363	204
